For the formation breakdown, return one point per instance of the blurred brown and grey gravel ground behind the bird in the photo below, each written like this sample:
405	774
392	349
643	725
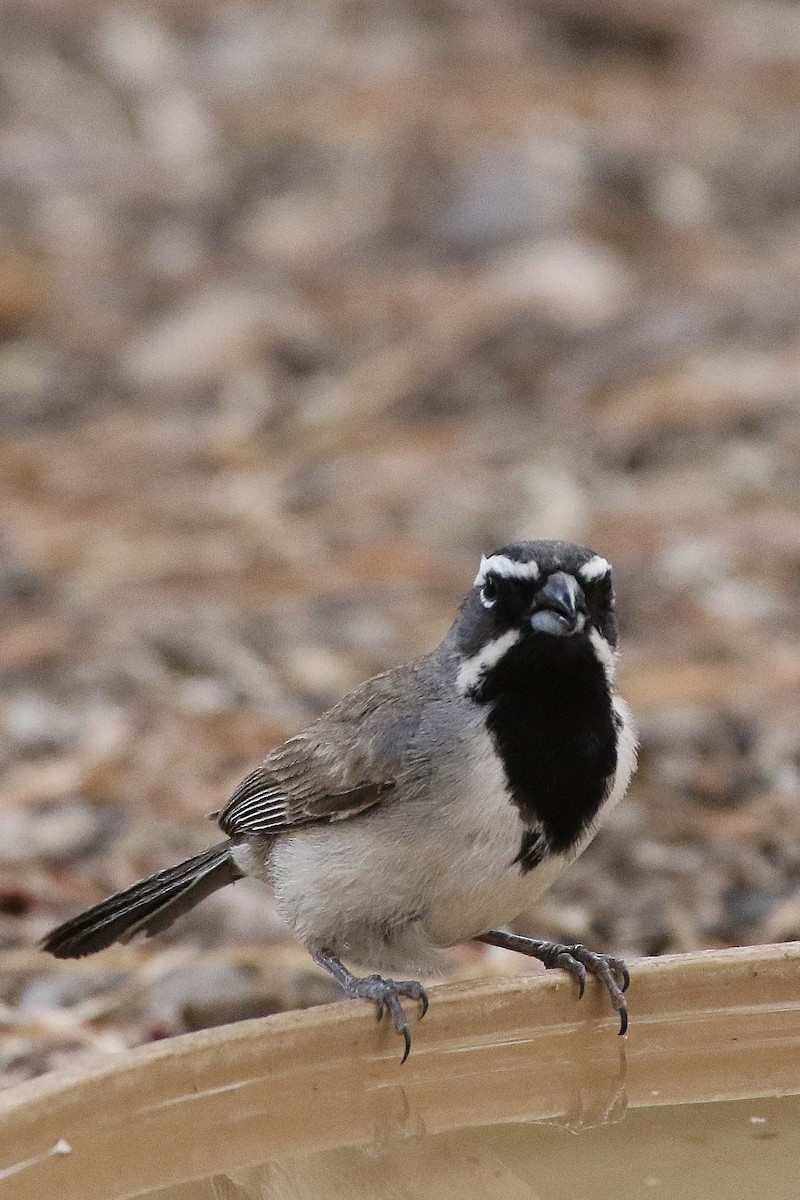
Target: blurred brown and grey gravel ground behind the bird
303	308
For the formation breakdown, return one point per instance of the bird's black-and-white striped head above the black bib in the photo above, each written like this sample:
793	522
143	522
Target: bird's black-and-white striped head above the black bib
530	595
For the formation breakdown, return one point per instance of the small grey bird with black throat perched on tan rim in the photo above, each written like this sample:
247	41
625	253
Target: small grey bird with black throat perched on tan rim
434	805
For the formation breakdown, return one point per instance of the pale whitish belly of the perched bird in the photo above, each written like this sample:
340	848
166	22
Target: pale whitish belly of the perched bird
392	887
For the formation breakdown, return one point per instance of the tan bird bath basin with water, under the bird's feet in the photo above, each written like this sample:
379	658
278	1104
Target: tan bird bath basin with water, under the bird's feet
701	1101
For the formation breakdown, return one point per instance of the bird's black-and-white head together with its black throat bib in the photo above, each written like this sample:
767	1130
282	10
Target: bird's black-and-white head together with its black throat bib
537	641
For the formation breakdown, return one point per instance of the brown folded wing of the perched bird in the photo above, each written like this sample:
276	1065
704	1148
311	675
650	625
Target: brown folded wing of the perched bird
342	765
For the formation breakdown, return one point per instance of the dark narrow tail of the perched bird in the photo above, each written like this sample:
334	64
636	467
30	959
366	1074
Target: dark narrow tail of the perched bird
149	905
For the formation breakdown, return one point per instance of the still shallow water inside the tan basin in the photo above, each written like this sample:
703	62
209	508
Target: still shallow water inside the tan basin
679	1153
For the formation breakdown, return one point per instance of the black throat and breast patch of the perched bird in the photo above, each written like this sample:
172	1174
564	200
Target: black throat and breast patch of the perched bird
551	717
